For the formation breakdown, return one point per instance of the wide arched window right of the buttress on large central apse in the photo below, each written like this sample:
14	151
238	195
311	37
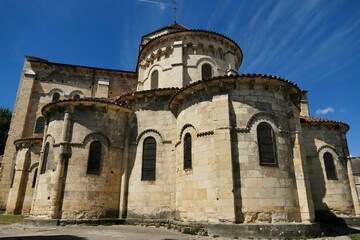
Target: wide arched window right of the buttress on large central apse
266	142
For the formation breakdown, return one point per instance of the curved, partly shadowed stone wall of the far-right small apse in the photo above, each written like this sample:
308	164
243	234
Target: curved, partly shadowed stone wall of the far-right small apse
328	195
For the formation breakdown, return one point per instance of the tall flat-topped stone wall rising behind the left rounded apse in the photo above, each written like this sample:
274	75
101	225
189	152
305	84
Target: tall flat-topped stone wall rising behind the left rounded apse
40	79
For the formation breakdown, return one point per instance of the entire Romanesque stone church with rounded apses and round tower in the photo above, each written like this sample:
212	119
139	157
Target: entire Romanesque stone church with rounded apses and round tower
185	137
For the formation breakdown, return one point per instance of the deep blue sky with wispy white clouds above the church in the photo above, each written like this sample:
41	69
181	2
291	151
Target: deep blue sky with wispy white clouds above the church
314	43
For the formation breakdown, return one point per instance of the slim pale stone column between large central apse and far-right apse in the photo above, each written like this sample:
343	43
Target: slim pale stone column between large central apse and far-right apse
306	204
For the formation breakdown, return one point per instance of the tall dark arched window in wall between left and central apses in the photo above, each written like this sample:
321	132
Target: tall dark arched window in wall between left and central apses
149	159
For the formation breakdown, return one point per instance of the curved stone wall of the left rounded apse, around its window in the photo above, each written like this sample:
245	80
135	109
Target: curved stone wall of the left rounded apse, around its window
85	195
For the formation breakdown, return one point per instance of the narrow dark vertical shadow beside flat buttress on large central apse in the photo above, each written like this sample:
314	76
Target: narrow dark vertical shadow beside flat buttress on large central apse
239	216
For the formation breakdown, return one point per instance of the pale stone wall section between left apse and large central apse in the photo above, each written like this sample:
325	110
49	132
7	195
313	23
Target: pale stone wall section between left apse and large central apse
153	199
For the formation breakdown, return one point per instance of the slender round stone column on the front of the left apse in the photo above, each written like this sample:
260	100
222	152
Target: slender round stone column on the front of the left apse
60	168
